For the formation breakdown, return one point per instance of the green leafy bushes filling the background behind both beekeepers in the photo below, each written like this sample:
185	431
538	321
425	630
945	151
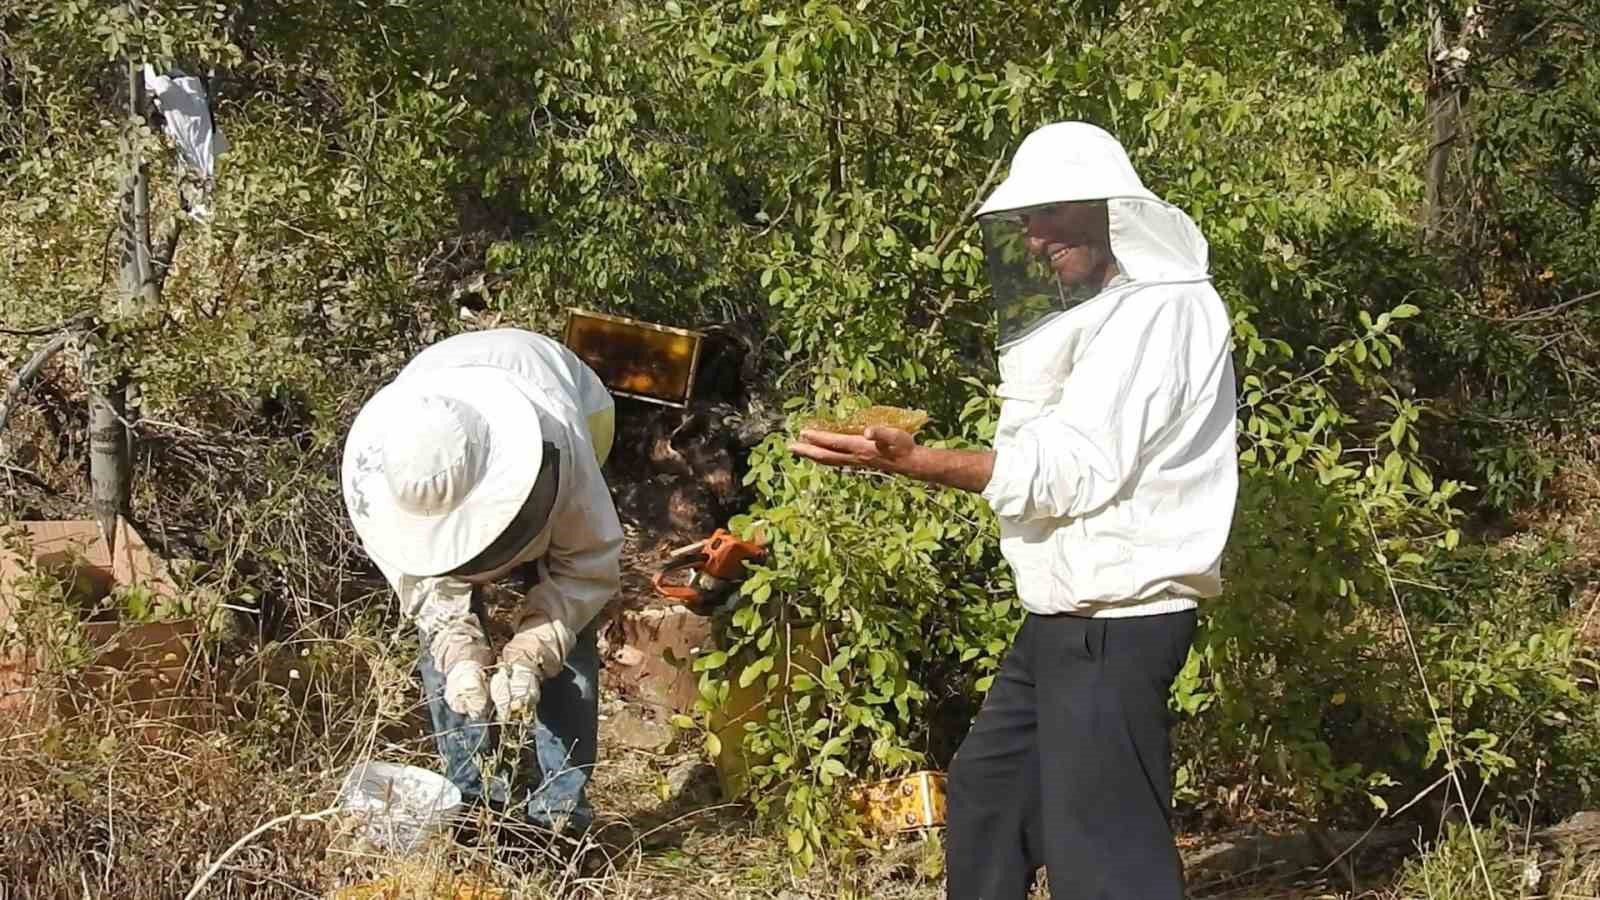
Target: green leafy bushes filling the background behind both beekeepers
807	171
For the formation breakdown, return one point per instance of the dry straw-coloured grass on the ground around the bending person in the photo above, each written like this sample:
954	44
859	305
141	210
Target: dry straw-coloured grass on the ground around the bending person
108	802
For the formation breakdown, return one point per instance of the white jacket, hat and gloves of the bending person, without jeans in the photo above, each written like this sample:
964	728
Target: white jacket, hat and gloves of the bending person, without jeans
487	449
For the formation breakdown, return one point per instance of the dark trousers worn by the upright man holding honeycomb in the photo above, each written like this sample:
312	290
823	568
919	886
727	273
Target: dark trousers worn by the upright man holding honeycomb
1070	765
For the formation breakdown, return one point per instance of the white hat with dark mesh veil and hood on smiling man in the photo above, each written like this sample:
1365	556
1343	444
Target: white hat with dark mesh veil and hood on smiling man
1068	172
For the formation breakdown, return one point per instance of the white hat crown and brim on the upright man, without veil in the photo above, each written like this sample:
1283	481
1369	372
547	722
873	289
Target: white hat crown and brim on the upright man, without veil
1066	163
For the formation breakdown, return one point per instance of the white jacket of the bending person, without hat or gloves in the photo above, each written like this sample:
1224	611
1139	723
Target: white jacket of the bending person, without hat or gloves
583	542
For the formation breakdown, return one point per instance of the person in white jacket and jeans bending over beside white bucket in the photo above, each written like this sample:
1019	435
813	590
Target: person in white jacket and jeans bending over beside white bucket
481	464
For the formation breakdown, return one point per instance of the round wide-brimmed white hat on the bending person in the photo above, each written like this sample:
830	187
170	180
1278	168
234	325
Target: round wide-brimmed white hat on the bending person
439	464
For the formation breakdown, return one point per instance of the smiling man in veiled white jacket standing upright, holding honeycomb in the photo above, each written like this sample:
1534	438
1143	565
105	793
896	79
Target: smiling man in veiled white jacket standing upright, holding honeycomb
1114	478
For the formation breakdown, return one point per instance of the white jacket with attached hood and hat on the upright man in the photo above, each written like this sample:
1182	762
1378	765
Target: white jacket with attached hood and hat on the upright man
1116	465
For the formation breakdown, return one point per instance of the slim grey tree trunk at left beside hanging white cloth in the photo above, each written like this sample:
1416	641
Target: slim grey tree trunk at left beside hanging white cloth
110	441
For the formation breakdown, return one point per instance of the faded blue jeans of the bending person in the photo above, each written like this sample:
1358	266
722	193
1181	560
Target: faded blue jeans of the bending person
550	776
